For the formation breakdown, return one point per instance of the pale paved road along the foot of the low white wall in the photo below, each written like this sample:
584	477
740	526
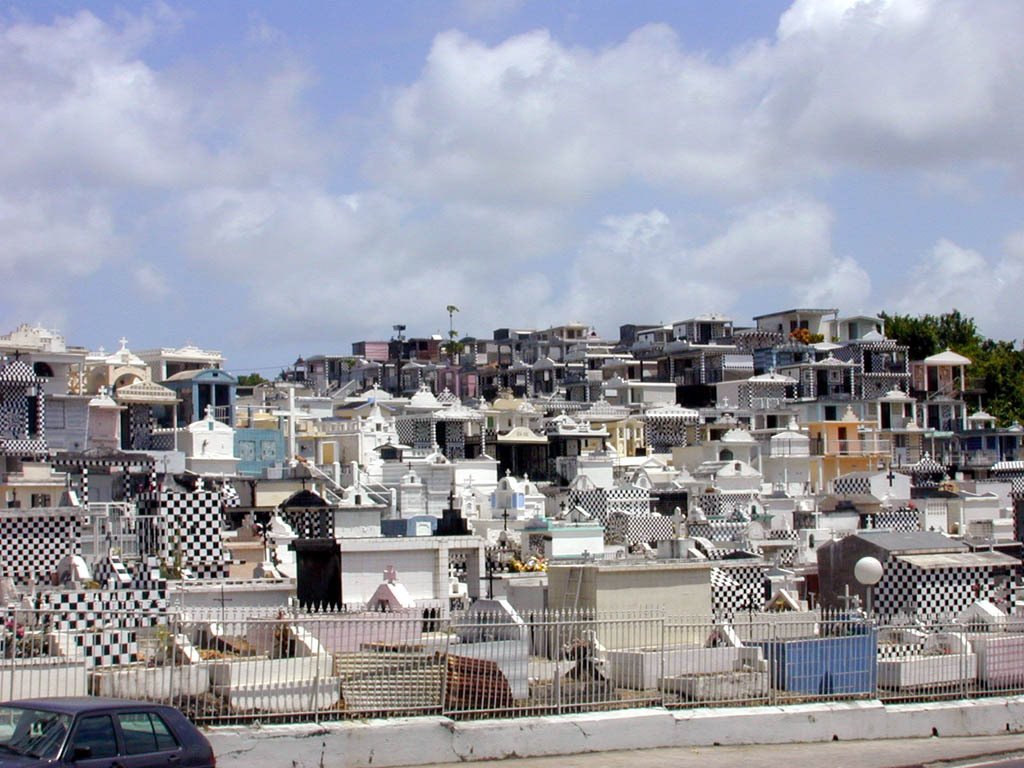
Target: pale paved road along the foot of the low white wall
976	752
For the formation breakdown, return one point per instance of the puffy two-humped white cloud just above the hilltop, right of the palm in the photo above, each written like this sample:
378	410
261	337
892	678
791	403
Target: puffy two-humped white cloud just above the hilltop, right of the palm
639	269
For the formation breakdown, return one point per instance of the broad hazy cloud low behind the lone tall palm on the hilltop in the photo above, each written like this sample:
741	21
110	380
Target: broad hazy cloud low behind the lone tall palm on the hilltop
363	263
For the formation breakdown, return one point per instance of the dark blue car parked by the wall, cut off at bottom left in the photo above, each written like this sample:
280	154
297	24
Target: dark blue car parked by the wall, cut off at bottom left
92	733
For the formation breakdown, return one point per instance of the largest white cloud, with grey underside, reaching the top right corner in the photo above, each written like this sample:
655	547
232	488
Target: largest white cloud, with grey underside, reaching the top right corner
931	86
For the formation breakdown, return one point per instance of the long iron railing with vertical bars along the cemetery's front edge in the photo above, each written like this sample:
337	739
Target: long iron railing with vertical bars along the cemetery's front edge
284	665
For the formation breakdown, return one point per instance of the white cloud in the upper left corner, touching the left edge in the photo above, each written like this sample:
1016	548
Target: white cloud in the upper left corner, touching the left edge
76	104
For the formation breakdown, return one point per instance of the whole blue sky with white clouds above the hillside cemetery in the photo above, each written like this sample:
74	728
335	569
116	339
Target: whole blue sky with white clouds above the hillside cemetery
276	180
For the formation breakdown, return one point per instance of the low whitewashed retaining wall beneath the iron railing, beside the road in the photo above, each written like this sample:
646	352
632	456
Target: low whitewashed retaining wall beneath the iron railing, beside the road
410	742
